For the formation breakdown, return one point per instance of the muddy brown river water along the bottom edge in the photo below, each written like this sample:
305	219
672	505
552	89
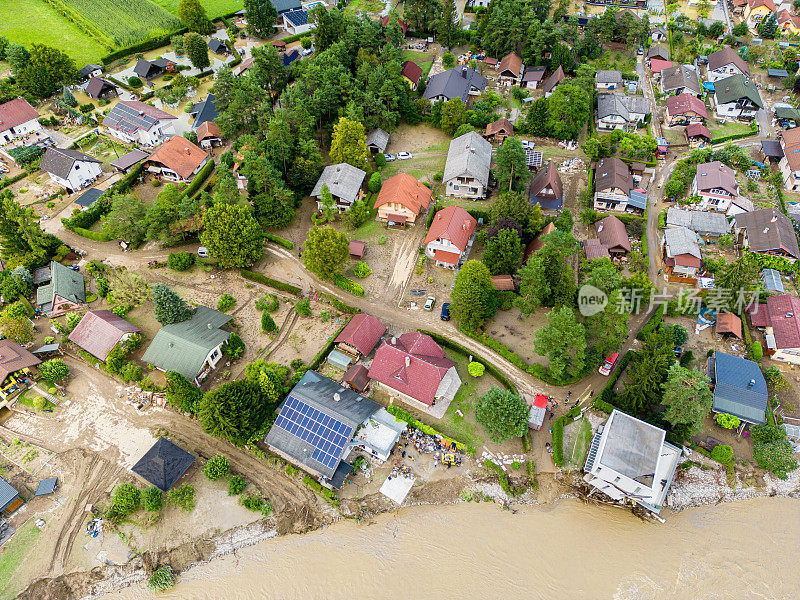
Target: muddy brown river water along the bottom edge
570	551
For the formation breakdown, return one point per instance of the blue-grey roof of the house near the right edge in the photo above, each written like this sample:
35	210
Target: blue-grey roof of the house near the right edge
740	388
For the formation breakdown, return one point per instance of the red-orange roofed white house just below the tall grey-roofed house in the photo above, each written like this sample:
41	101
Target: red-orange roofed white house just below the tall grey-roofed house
450	237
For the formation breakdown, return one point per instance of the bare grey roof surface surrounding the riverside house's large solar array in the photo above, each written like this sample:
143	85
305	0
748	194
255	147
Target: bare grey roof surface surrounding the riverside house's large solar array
321	393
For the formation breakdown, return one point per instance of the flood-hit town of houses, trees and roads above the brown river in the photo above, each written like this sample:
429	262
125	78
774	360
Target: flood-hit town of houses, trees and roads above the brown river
271	264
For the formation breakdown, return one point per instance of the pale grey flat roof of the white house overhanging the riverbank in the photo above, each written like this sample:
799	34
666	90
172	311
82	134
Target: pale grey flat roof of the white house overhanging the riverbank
632	447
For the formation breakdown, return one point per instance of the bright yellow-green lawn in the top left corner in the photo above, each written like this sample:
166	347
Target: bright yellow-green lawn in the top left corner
29	21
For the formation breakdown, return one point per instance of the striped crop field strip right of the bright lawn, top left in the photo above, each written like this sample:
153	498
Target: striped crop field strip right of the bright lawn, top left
134	20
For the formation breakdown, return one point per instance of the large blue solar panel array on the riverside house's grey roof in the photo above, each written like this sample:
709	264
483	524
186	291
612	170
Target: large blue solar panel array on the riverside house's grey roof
328	435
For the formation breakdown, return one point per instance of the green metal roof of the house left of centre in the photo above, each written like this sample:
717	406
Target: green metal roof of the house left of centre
183	347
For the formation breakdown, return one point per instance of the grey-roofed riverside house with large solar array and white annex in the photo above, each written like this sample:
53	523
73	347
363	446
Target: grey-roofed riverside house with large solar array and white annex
322	427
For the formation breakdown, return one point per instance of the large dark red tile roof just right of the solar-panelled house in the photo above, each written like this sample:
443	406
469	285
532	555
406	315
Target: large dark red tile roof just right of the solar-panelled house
414	365
